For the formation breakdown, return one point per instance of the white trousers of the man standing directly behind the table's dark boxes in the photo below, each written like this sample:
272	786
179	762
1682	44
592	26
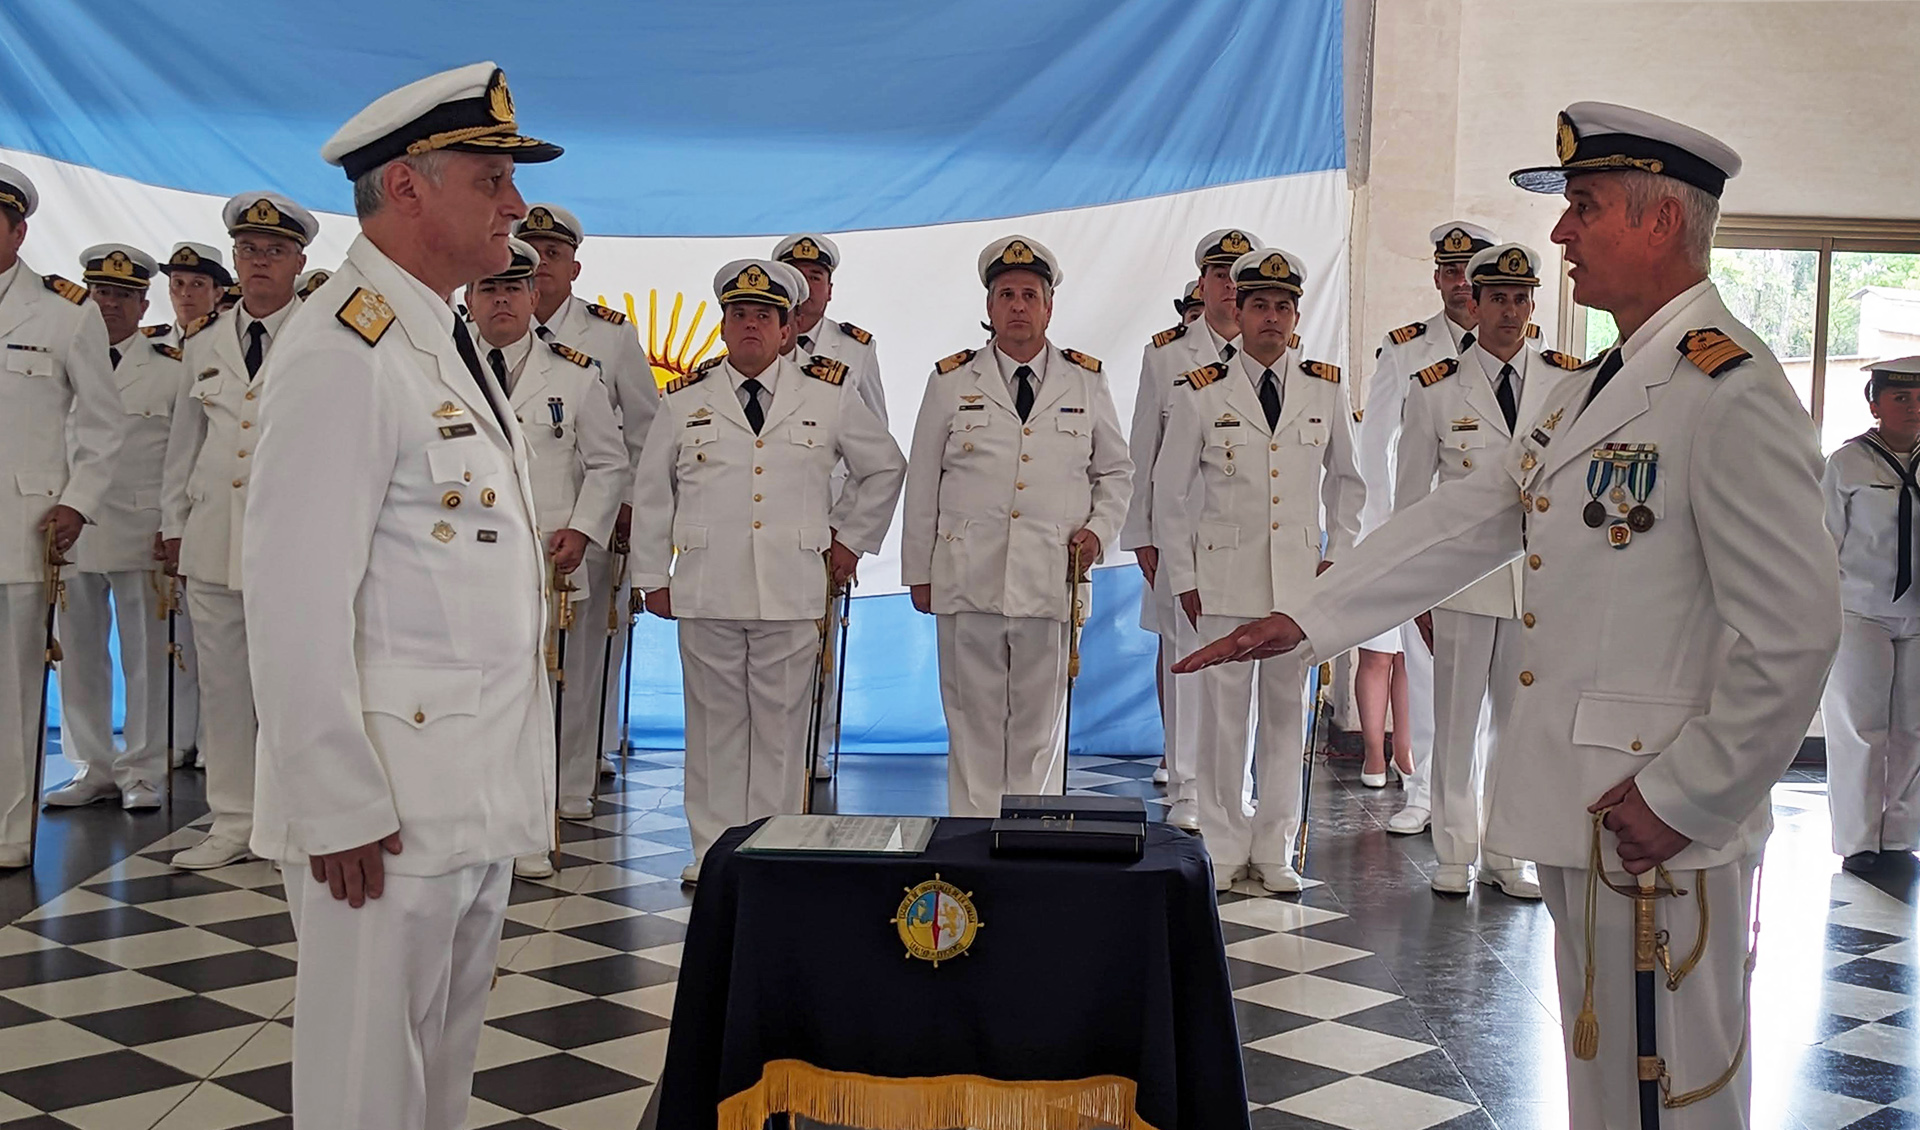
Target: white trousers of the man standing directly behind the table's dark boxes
1005	695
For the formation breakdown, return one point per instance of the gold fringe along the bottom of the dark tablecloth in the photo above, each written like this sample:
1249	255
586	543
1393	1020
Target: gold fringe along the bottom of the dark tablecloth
842	1098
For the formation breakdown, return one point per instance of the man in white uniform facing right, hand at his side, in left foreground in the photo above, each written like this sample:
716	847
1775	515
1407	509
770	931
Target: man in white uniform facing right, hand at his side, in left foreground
406	734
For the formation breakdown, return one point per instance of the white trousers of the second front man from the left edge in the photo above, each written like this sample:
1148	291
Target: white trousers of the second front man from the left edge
87	678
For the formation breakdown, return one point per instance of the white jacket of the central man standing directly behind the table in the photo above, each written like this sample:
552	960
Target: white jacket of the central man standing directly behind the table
992	502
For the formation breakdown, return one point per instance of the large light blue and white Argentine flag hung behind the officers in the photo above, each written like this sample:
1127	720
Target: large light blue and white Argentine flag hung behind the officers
1115	131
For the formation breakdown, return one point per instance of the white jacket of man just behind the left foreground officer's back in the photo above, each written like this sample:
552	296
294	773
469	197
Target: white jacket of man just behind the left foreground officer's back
210	454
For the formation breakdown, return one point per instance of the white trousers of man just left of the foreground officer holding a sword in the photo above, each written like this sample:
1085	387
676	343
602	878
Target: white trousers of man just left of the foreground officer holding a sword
1468	709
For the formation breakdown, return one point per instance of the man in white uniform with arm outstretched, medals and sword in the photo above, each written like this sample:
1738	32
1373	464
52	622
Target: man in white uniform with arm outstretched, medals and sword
1681	634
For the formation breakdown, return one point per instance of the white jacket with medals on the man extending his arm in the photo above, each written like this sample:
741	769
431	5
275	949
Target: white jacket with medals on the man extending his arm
1691	657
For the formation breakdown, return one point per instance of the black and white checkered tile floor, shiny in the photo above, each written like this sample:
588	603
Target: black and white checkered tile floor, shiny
153	999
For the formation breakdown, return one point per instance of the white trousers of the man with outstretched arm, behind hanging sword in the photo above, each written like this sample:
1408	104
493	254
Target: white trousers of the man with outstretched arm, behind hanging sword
1696	1029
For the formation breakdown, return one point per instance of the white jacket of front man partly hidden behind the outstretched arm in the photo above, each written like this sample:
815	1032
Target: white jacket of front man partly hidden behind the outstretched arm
1451	425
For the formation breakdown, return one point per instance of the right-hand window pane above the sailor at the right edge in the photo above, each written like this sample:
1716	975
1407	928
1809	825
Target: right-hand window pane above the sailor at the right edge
1875	316
